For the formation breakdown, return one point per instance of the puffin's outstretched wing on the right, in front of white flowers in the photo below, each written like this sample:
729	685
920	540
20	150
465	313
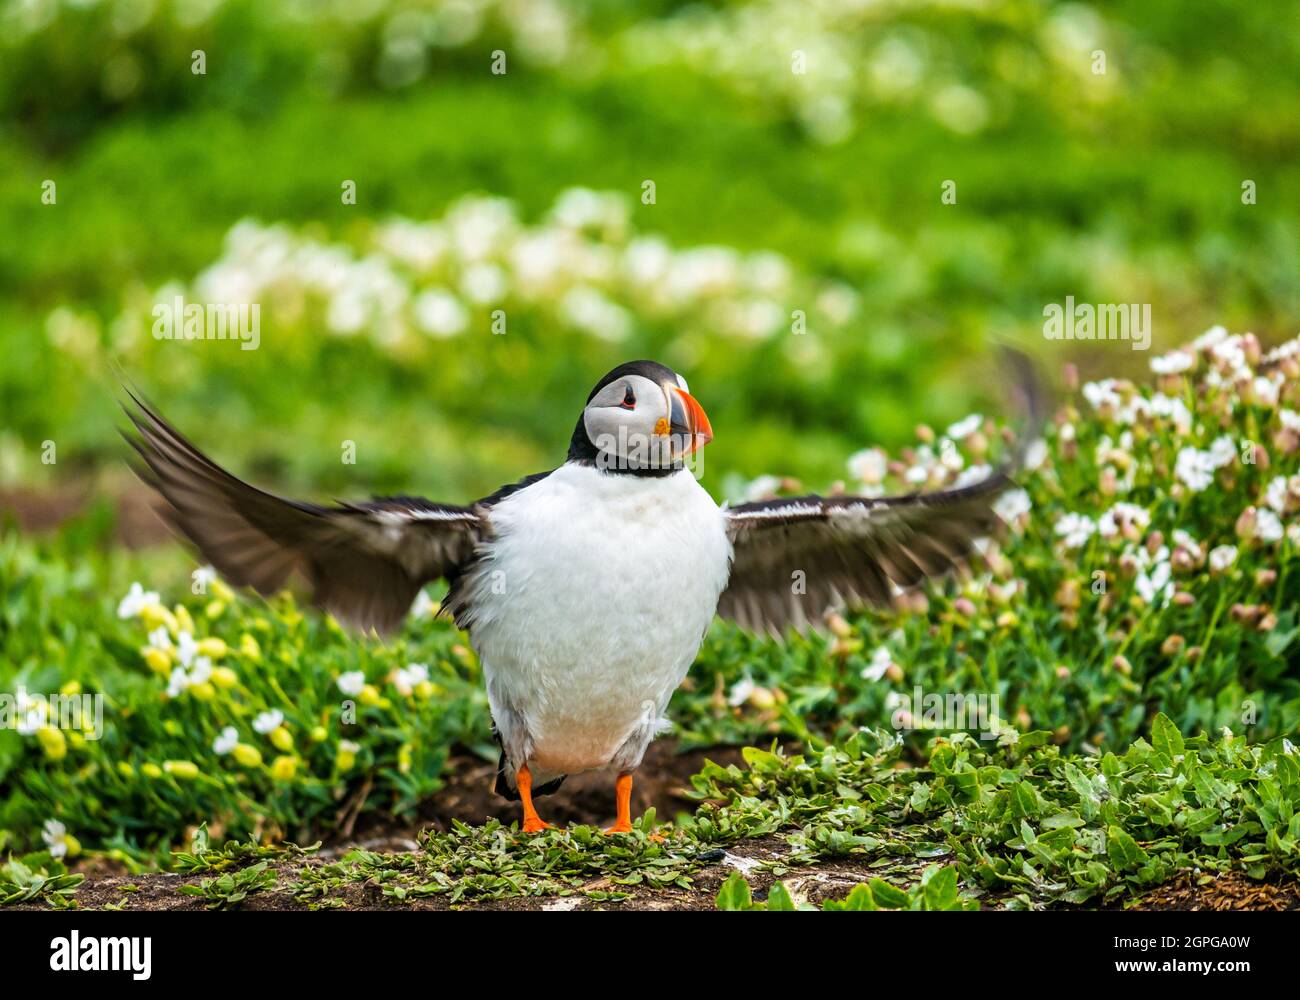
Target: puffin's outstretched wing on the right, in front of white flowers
800	557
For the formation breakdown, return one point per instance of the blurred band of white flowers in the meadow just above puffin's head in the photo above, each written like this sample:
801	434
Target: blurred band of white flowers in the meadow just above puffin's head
583	267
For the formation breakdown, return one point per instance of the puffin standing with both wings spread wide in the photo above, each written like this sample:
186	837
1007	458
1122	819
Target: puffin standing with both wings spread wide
586	591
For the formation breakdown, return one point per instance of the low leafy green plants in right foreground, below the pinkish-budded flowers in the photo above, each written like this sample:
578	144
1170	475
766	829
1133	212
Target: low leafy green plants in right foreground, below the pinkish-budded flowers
1024	822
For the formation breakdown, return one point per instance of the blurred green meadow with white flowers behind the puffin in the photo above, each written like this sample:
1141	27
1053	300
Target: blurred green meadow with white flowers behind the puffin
775	192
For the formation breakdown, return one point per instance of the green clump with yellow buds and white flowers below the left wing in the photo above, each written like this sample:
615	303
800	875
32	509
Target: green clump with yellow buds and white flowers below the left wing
155	767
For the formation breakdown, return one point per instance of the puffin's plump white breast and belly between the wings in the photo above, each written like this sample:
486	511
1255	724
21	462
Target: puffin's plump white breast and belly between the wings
591	604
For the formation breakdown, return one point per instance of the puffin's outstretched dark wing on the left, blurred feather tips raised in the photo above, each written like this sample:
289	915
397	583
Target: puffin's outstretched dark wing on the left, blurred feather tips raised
365	562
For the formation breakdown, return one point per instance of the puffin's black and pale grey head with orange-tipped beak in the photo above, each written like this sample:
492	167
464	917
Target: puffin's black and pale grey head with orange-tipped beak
640	417
